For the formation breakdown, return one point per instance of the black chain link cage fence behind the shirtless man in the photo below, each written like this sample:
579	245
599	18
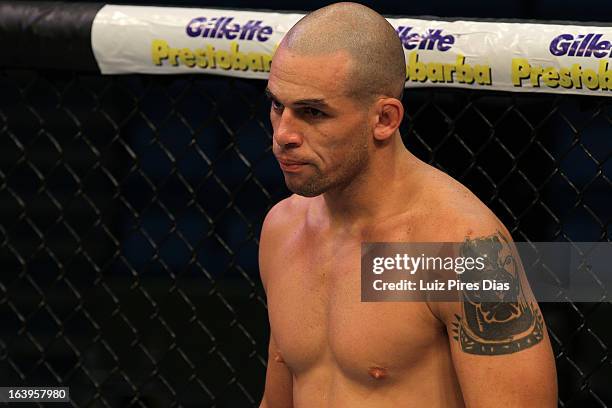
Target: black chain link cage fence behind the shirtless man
131	208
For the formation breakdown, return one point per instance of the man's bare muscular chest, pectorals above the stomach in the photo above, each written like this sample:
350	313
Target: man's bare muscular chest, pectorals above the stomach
318	319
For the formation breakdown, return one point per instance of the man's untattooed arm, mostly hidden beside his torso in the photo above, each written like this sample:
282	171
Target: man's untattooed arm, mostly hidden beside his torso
278	391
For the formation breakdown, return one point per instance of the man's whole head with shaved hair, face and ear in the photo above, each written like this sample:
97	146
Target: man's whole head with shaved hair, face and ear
334	86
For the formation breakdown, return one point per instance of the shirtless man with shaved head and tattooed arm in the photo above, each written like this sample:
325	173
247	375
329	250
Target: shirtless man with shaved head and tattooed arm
335	88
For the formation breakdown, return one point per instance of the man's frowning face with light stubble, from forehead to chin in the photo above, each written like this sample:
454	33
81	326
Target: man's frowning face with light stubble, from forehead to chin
321	134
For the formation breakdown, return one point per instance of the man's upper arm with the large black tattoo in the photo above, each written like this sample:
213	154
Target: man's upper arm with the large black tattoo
500	349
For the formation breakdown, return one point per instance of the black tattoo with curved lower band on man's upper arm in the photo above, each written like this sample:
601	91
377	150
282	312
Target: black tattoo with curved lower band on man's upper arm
501	322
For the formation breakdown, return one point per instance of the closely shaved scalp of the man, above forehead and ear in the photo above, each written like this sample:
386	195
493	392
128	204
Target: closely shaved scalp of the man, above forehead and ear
377	66
